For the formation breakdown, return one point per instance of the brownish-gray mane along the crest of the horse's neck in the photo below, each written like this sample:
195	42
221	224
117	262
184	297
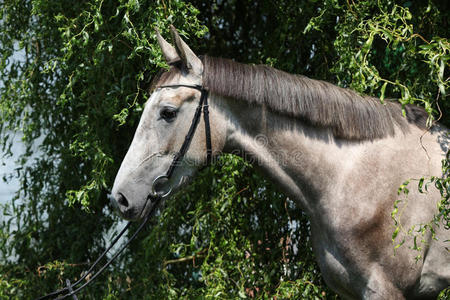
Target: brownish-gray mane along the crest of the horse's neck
348	114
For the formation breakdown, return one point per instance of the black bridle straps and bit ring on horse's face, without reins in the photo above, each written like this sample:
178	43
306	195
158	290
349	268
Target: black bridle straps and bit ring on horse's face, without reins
202	106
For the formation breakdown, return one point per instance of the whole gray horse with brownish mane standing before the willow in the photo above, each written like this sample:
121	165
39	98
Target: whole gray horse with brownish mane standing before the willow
341	156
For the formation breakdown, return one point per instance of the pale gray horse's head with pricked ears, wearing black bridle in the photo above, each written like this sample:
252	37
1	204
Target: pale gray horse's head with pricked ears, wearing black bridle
161	134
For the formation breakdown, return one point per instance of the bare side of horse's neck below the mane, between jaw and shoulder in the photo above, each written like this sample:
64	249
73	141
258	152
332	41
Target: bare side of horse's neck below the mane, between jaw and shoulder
305	161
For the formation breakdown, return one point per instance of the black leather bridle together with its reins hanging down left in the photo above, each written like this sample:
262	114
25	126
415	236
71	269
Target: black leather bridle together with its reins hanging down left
72	289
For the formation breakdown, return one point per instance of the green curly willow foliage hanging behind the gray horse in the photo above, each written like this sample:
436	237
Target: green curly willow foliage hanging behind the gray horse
74	78
